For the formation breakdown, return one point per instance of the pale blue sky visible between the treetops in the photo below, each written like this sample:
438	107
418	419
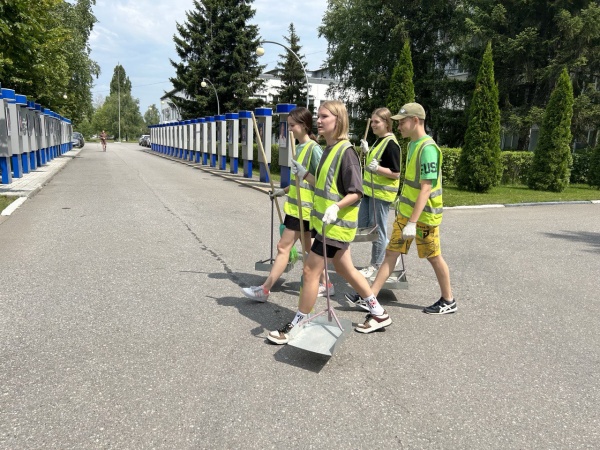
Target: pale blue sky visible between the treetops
139	35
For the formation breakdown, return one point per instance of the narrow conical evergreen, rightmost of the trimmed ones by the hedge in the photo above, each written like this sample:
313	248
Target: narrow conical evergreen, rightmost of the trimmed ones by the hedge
550	168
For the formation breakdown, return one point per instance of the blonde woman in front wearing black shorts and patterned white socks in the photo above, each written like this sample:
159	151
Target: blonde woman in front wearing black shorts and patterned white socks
338	190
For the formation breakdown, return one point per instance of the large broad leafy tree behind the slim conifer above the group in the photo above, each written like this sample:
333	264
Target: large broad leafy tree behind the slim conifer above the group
363	38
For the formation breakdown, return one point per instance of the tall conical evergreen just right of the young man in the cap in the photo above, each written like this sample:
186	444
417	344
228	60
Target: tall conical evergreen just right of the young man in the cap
480	163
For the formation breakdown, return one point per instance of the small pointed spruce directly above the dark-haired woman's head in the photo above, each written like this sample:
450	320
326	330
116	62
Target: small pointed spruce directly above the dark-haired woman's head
291	72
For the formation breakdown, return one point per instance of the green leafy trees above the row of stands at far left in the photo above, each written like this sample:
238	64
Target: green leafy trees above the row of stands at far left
44	53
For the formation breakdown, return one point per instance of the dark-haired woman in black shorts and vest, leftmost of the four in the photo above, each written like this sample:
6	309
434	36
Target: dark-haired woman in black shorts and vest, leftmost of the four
308	153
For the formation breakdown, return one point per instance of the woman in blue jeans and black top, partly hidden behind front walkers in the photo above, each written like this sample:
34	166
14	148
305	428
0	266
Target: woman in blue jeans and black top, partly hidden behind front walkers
381	182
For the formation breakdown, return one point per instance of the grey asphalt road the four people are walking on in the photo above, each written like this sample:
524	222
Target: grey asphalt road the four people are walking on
122	326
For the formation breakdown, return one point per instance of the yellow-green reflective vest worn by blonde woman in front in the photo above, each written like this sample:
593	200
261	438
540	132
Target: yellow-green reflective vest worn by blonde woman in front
326	194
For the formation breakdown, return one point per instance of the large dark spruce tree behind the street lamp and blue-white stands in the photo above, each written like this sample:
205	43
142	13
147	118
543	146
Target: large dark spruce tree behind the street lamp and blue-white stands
218	43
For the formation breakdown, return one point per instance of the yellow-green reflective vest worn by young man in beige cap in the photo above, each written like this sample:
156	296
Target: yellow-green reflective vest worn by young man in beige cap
432	213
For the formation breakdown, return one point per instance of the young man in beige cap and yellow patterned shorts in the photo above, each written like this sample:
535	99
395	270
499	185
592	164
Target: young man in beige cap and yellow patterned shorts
419	210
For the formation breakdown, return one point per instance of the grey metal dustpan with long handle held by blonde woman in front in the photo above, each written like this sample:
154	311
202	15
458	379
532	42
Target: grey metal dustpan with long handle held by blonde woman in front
322	332
